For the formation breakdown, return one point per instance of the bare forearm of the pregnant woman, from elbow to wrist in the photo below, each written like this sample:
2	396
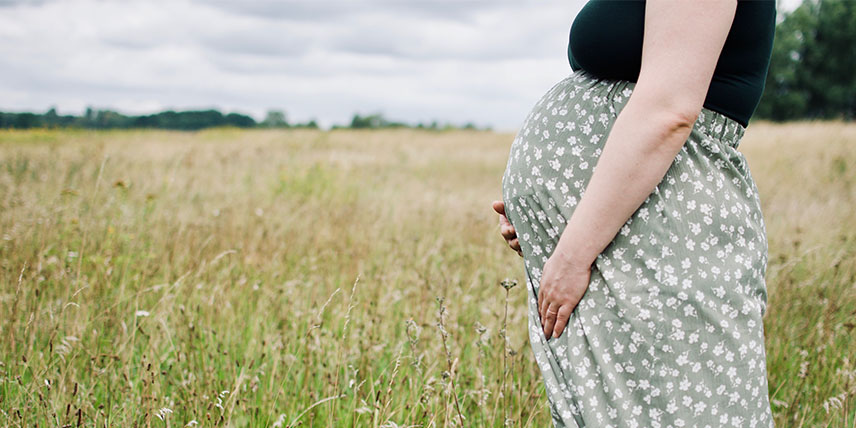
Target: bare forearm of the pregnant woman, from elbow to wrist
641	146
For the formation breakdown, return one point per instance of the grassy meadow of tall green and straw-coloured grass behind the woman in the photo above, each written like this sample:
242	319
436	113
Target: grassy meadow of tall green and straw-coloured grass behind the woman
344	278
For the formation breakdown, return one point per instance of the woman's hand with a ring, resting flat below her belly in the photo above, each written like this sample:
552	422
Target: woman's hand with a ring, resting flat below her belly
563	284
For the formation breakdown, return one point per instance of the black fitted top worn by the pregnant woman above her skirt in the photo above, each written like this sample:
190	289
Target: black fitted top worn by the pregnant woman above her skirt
606	40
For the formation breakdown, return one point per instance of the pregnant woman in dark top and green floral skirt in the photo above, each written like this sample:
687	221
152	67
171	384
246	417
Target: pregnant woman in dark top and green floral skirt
639	223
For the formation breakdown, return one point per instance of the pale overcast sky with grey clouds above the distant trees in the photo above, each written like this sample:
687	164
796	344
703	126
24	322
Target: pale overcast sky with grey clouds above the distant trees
457	61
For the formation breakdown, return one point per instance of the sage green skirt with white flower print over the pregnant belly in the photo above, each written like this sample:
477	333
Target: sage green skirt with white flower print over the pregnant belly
669	332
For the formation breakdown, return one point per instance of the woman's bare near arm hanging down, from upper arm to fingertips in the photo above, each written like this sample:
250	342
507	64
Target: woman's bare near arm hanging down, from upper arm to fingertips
680	49
